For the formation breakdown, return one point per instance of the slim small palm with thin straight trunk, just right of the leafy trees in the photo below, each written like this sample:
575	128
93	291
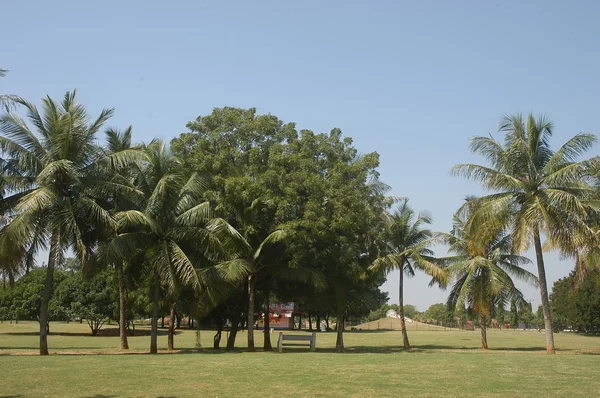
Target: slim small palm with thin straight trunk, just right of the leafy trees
408	248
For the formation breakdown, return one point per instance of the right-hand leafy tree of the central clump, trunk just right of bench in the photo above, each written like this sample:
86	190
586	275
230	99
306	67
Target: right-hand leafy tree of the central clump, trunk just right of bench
337	200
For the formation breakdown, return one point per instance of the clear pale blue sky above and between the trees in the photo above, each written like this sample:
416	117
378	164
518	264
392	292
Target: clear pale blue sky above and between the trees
412	80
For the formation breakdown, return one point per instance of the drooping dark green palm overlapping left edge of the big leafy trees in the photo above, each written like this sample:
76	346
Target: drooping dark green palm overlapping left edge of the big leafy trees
167	229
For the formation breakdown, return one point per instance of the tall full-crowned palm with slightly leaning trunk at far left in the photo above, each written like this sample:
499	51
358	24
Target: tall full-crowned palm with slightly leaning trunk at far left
55	182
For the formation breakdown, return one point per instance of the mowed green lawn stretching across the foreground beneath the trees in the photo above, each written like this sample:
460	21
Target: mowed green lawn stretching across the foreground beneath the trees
443	363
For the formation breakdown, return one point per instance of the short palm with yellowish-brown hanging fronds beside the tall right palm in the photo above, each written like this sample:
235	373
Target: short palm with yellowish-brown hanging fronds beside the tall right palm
482	270
